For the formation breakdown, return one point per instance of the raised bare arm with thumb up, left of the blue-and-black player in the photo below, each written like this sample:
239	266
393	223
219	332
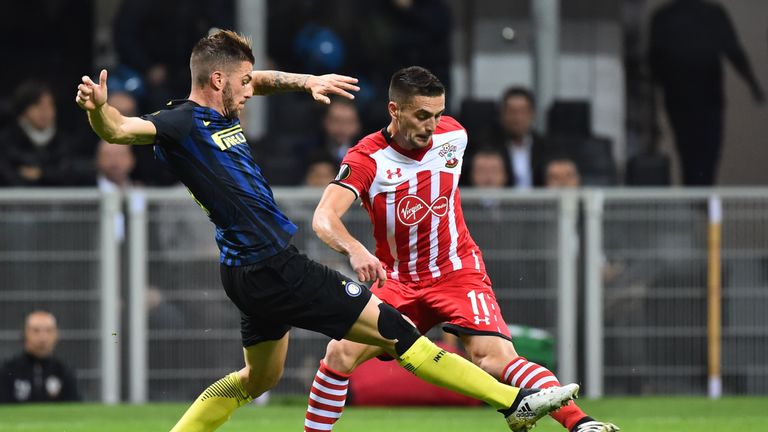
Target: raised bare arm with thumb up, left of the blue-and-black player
107	121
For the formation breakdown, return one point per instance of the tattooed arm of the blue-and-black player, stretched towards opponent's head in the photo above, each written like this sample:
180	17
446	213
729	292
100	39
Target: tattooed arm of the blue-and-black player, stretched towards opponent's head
269	82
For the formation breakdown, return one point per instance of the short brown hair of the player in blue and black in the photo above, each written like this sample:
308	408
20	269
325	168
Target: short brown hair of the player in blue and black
218	50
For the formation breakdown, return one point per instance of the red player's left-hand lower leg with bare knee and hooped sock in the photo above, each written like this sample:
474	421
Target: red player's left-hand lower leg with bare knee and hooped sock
328	394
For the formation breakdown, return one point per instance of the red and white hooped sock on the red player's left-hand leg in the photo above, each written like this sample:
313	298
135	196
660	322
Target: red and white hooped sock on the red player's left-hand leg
326	399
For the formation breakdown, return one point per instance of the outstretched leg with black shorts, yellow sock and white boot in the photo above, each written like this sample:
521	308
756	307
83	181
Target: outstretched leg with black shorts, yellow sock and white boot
324	300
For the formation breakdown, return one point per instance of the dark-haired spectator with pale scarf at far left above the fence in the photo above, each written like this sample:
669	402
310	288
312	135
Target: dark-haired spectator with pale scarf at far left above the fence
37	151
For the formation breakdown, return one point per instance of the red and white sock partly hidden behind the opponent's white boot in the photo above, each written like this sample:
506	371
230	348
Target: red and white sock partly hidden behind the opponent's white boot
522	373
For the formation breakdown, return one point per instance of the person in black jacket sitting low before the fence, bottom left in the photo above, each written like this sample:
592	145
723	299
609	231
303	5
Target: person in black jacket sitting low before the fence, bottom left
35	375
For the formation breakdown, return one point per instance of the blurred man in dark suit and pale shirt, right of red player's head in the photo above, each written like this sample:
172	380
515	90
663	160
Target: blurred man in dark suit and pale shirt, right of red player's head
513	135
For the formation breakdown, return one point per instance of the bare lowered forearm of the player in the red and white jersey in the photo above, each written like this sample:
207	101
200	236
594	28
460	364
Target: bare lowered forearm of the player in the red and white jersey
330	229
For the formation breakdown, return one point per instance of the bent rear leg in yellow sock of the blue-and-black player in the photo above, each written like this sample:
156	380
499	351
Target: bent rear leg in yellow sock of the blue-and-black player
263	368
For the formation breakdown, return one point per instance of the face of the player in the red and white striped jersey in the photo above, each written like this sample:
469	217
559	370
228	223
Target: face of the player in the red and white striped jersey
417	120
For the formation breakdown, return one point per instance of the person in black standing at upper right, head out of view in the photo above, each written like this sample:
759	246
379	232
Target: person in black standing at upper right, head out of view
688	40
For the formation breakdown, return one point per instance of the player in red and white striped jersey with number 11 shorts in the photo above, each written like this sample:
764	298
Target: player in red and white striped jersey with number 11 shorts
407	177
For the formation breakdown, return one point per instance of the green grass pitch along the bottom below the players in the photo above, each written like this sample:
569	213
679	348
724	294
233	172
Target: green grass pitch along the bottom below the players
631	414
